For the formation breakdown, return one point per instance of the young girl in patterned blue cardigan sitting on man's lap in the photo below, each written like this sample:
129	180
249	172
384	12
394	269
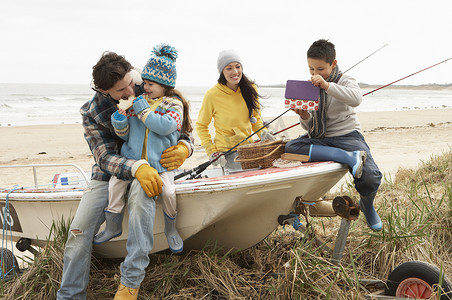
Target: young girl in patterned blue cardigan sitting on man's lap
153	124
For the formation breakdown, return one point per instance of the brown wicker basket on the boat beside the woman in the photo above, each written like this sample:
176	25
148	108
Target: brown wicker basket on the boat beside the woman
260	155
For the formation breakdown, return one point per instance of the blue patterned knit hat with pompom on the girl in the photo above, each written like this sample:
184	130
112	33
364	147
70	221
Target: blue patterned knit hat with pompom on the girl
161	67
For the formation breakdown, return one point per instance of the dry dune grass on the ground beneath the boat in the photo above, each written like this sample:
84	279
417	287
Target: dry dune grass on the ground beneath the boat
415	207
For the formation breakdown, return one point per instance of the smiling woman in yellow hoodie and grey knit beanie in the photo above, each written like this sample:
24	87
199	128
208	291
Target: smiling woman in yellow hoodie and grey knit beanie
233	103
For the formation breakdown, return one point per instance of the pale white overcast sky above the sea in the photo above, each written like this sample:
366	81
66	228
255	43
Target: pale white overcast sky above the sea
58	41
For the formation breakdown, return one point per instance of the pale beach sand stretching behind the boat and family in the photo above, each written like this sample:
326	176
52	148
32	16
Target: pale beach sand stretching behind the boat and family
396	139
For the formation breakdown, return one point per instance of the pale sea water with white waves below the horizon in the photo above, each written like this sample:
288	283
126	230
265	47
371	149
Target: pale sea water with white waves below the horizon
42	104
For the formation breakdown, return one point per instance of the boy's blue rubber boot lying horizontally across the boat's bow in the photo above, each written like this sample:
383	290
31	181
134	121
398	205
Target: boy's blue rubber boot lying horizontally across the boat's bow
355	160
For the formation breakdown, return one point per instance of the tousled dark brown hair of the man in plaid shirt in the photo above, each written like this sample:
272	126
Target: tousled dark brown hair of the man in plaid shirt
110	68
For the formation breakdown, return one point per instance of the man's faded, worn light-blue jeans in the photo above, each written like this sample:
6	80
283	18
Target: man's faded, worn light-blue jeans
88	218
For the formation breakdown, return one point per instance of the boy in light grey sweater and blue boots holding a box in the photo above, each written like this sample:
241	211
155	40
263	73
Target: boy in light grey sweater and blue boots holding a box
334	131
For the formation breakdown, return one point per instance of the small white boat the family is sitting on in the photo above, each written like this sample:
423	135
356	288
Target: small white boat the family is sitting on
235	211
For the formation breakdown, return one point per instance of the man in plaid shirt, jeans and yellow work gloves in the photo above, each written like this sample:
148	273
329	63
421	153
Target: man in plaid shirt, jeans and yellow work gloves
113	80
